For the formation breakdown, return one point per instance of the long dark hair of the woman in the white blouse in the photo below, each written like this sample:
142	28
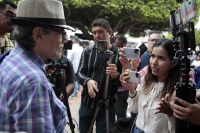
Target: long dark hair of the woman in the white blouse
173	76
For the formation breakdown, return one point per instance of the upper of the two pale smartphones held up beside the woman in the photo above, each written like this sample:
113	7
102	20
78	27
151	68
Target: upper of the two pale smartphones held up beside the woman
131	53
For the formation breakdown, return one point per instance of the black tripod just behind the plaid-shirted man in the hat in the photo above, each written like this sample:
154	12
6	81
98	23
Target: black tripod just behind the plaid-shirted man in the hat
58	75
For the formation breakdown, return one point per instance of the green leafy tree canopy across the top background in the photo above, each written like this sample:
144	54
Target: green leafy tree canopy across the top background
133	16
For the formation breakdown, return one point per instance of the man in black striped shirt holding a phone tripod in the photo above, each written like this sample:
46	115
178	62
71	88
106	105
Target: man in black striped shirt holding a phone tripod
92	75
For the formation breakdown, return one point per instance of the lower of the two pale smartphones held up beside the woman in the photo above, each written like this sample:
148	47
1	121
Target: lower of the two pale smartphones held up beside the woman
134	77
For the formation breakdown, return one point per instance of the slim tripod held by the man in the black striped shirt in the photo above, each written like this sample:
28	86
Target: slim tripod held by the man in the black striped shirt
105	100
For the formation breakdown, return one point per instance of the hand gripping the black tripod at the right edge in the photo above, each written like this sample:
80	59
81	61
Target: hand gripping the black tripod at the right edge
190	112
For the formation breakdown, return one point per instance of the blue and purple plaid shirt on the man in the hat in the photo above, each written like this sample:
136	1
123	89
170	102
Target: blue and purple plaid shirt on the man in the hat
27	100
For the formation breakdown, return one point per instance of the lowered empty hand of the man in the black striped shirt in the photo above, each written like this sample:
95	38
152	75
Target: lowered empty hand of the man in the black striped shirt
92	87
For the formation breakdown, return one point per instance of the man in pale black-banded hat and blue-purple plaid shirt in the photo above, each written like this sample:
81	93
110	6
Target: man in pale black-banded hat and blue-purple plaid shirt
27	100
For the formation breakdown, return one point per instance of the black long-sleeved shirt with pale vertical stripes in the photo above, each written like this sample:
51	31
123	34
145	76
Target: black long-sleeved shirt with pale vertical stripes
93	67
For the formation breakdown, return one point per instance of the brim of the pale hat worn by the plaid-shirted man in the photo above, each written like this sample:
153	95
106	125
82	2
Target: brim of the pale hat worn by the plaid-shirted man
26	22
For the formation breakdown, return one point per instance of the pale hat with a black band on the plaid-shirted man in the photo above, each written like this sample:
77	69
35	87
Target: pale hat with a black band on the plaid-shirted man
40	13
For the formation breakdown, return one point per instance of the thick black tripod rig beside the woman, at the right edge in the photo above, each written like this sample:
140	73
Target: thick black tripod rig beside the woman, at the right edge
184	89
